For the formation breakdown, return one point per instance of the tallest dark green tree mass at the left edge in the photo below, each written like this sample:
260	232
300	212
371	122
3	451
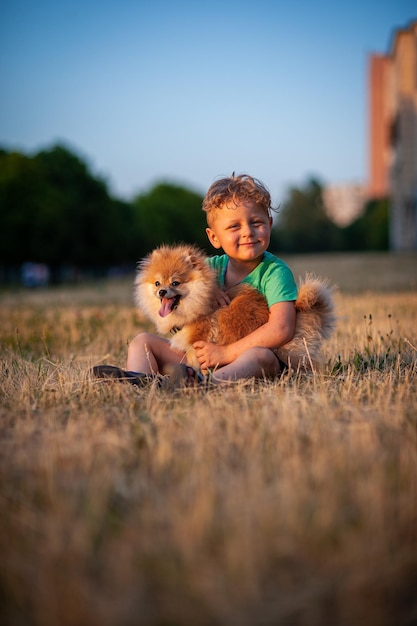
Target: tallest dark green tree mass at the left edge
52	209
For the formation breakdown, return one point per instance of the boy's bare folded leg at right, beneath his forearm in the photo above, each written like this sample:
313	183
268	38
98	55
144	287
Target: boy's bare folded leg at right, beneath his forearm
254	363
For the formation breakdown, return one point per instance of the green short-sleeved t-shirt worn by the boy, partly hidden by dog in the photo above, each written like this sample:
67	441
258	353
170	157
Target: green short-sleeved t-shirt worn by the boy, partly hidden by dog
272	277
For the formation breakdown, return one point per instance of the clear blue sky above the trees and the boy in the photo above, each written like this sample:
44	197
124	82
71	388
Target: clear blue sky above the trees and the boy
187	90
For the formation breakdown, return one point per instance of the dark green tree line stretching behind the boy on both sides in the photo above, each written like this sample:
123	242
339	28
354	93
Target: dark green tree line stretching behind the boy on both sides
54	210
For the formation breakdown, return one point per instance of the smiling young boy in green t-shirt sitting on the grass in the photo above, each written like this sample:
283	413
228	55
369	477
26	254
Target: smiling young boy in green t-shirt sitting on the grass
239	222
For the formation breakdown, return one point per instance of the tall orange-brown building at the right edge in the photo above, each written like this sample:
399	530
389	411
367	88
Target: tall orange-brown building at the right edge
393	134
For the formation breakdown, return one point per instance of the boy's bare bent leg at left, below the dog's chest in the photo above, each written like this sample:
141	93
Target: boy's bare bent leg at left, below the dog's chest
151	354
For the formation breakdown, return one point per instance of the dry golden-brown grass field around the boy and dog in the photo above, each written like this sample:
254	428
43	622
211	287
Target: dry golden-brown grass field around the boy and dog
289	502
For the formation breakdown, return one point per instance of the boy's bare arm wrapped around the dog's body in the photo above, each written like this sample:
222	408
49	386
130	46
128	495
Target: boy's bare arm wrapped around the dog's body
276	332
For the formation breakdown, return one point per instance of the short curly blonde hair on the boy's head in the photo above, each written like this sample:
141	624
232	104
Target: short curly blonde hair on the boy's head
236	190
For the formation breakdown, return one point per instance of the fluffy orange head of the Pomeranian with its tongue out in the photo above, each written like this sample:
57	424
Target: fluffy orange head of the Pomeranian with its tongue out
174	285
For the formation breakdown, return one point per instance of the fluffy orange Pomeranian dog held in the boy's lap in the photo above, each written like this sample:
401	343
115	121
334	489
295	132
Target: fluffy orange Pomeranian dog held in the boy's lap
174	288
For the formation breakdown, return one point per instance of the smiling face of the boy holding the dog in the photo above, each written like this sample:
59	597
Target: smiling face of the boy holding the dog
243	231
